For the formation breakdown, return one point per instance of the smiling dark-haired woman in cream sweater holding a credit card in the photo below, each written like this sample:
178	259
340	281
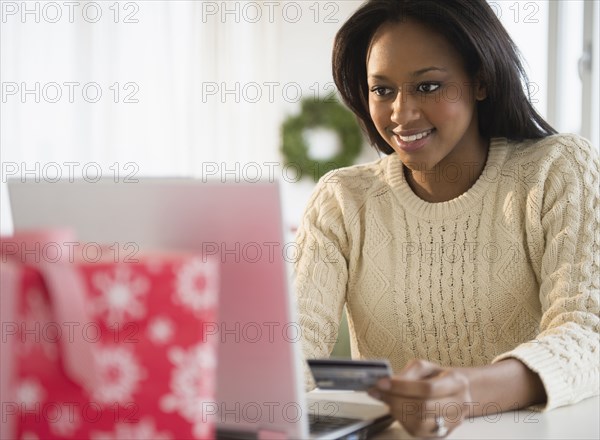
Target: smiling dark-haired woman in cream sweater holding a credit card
468	255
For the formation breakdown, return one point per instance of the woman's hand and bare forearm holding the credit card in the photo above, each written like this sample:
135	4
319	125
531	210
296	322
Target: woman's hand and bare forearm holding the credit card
431	401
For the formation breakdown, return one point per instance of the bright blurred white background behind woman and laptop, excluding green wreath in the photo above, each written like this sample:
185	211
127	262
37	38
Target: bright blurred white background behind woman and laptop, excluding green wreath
126	89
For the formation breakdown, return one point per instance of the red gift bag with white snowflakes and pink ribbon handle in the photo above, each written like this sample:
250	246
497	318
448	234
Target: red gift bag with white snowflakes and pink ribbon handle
105	349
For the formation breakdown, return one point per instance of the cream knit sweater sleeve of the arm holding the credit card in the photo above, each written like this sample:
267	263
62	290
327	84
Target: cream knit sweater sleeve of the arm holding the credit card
565	354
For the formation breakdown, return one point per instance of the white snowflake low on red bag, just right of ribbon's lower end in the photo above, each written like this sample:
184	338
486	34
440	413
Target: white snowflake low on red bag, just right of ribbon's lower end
119	375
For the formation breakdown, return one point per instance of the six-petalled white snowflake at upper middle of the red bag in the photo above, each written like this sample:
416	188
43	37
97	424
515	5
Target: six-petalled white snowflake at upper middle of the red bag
121	295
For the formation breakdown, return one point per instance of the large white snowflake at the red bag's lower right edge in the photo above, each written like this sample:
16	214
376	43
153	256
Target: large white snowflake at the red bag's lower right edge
192	384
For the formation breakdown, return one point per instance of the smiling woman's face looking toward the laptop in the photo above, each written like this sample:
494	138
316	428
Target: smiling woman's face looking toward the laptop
421	99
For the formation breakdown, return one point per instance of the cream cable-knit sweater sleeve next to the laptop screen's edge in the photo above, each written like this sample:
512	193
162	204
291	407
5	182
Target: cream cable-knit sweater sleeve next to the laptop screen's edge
321	272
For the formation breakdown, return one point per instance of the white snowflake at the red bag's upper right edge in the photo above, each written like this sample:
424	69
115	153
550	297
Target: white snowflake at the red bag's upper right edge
197	285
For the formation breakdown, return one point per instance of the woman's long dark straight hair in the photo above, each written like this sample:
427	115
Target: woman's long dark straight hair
475	32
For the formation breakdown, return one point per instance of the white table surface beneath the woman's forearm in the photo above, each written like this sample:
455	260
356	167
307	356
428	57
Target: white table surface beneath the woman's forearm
579	421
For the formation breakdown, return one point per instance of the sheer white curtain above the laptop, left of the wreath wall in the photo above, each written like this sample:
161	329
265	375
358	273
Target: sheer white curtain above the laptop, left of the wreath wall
178	85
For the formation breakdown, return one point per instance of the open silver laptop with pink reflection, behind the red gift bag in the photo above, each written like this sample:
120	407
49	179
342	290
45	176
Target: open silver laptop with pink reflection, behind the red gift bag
260	390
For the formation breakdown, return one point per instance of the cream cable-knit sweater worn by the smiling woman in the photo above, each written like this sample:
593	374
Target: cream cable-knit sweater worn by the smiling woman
508	269
